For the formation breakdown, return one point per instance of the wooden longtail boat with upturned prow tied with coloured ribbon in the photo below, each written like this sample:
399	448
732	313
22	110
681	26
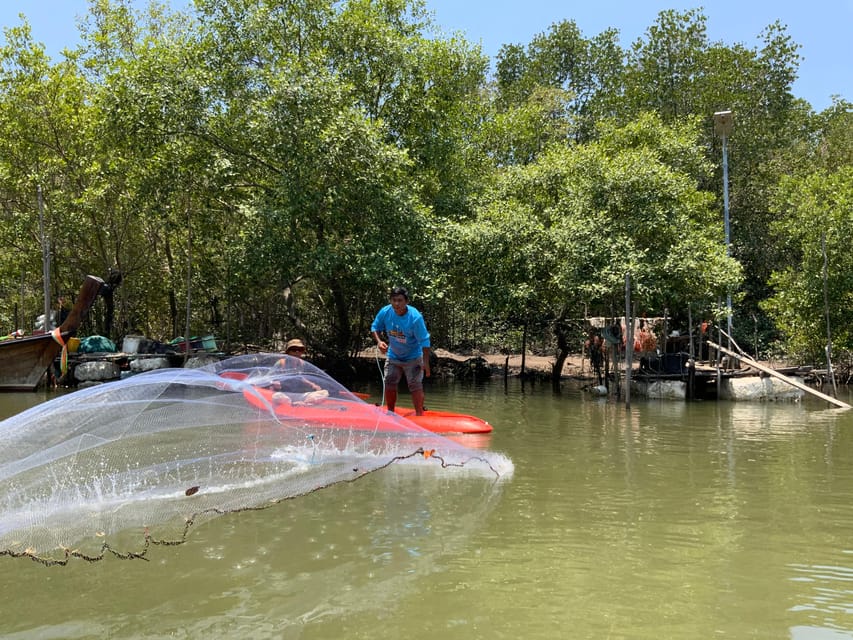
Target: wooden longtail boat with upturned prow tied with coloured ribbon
23	361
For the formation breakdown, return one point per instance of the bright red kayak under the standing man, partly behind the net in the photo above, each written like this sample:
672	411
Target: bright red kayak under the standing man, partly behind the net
345	413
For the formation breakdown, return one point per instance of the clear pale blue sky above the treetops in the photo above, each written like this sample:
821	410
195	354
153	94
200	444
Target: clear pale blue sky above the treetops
822	28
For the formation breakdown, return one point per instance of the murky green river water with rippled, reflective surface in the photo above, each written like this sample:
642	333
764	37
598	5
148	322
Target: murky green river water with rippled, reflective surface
671	520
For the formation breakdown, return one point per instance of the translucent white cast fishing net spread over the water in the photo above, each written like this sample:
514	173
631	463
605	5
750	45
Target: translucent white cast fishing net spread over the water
114	469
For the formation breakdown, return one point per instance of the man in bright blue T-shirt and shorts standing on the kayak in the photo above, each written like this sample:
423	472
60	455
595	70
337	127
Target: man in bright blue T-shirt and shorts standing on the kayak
407	349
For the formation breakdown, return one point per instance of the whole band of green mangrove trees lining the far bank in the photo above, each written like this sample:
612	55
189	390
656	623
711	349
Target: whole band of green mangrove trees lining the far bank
273	167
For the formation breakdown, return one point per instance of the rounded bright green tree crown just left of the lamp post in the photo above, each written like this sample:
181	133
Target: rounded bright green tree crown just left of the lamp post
563	231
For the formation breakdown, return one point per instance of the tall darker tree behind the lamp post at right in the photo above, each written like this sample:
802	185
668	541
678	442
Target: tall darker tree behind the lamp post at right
676	71
